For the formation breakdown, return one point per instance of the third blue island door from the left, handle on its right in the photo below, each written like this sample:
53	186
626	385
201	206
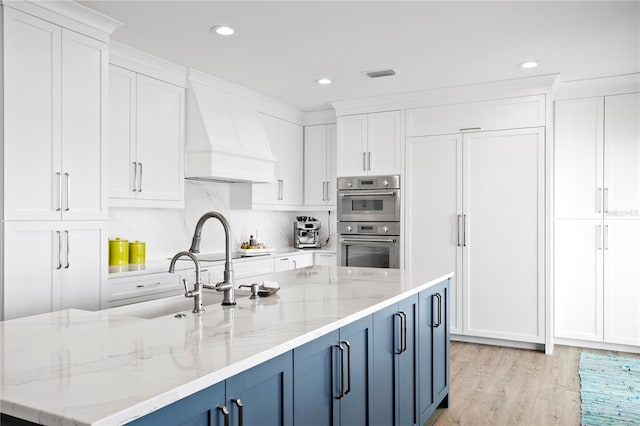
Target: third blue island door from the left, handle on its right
316	382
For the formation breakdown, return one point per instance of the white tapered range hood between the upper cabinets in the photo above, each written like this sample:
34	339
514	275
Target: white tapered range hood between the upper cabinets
225	139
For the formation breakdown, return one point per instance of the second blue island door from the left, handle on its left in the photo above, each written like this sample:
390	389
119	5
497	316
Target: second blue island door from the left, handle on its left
262	395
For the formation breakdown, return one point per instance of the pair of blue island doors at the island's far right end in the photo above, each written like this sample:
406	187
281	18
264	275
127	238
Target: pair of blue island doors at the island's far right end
433	349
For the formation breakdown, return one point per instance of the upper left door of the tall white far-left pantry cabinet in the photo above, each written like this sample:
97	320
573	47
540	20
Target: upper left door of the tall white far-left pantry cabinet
32	85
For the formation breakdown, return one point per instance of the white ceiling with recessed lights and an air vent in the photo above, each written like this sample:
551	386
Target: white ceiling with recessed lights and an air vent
280	48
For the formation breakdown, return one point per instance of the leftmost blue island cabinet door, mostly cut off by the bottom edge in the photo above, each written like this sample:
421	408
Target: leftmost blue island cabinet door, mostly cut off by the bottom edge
204	408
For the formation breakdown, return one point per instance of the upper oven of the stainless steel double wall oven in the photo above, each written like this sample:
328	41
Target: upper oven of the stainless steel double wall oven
369	198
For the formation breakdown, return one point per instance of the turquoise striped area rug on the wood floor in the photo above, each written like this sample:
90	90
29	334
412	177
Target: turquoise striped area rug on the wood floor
609	390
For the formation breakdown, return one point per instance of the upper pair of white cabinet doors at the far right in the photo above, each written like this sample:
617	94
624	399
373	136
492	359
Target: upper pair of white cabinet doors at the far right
598	157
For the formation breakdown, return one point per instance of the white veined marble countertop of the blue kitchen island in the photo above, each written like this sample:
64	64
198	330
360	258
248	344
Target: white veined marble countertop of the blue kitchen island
108	368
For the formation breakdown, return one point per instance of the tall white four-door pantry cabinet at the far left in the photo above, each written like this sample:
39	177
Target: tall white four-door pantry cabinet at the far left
53	154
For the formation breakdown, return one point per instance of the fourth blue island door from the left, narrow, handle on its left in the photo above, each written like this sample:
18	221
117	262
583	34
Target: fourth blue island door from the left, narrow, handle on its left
357	372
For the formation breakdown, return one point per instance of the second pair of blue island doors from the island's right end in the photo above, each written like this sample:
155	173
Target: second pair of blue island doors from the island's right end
395	371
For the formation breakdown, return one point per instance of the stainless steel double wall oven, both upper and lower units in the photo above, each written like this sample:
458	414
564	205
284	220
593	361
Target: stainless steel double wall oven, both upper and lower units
369	221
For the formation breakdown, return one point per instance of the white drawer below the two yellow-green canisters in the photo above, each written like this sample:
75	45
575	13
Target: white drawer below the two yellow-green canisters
144	286
